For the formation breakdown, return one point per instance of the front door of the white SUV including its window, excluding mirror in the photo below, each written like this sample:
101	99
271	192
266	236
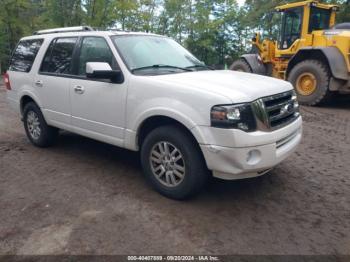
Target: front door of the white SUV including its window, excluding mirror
97	106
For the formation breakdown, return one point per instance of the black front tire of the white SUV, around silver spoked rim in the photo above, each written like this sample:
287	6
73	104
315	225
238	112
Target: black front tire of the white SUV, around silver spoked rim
195	174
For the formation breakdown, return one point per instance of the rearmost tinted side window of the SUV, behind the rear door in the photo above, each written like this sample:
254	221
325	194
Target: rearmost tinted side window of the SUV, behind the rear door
24	55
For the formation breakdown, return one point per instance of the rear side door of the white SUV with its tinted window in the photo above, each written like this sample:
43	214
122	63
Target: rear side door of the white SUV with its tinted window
53	81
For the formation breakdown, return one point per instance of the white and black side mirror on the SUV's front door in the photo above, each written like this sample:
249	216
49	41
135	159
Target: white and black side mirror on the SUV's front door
98	70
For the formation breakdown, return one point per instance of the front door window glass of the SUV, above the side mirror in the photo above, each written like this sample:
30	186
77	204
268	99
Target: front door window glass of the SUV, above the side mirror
95	49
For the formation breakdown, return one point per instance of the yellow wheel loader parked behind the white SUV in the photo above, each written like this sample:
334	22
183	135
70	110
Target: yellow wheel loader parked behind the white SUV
311	52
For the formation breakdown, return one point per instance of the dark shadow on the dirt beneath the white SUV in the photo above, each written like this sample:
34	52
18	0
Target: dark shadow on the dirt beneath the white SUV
118	160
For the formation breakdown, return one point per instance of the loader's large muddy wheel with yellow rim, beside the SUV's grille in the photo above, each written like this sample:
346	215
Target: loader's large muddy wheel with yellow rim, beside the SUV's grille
321	75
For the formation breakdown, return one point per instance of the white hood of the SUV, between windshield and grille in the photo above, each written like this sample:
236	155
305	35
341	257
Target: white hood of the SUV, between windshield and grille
239	87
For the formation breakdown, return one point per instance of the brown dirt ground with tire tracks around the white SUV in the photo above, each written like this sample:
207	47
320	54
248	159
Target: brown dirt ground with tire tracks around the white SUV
86	197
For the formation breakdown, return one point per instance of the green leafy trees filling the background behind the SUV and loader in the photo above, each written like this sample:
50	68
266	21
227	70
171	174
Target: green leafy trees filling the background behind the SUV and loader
211	29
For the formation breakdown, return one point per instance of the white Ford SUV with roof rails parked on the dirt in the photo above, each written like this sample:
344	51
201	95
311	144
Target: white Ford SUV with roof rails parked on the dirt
147	93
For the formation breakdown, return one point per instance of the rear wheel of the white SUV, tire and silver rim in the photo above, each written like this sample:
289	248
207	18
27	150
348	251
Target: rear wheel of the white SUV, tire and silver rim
46	135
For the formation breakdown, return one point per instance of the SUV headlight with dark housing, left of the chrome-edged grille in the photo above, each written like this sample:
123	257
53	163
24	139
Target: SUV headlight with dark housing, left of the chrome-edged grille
233	116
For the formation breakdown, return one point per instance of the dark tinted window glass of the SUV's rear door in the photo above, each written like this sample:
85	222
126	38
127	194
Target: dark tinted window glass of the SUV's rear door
58	57
